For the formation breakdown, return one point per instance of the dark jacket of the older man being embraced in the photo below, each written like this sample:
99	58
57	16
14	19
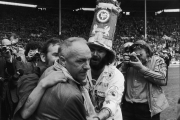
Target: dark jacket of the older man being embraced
61	102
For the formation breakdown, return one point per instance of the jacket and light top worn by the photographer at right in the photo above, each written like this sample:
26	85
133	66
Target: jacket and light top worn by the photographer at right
143	86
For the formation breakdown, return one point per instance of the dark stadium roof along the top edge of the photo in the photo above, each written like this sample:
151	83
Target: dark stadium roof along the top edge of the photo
126	5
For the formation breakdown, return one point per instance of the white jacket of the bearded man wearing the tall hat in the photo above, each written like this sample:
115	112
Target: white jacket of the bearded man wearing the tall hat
107	91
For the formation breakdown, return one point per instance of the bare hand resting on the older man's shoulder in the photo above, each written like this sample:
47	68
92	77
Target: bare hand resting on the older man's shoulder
52	79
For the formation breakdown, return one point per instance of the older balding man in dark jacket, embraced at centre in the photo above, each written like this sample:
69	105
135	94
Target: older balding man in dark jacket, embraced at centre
64	101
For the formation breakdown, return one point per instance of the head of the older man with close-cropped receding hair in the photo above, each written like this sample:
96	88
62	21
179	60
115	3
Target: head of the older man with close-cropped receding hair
75	56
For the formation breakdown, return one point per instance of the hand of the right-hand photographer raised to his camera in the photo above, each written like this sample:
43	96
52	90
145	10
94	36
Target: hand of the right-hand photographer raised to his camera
136	64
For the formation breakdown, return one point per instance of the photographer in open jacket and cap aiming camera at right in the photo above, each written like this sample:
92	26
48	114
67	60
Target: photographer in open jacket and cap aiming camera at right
144	74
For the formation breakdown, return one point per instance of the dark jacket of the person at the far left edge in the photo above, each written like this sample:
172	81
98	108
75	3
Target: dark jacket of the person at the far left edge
8	96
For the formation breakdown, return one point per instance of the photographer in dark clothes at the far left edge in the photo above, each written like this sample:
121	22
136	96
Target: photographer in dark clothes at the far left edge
8	79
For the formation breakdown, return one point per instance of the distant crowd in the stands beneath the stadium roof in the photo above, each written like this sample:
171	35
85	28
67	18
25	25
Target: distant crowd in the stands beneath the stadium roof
34	25
